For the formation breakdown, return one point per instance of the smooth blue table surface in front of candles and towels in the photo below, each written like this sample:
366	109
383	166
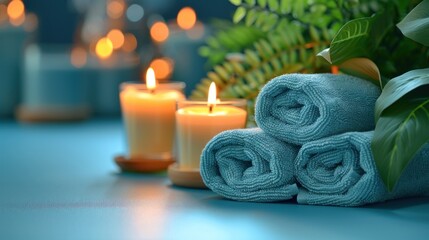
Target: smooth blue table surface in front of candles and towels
59	181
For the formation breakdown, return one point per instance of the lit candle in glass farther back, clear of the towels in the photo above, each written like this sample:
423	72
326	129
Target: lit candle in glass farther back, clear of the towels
149	116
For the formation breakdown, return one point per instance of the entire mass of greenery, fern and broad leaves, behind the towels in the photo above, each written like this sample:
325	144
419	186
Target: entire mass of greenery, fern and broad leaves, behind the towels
369	46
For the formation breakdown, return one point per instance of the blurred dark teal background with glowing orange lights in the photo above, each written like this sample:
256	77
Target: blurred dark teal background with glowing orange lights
65	59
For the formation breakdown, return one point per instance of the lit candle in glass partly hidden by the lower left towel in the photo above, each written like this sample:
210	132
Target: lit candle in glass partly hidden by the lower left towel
198	122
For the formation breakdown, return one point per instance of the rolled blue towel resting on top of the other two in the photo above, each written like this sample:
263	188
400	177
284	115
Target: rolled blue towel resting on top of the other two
299	108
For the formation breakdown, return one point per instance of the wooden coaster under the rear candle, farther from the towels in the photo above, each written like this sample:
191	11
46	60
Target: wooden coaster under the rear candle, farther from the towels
143	165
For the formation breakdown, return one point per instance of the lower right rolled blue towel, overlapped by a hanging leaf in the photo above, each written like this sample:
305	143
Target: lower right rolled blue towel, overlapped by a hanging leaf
340	170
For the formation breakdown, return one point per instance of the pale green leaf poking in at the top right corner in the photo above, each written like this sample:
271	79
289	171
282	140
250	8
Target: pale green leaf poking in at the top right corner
416	24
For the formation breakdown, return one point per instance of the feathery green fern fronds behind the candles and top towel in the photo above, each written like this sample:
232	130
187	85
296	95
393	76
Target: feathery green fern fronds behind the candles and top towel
293	32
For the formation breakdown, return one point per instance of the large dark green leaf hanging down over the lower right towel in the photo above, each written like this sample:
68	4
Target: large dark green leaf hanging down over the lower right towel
400	133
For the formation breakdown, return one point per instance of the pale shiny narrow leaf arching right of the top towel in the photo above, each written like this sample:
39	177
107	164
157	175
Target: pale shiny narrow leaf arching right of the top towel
399	87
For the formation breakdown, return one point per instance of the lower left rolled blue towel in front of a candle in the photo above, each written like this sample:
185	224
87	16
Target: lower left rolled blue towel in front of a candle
249	165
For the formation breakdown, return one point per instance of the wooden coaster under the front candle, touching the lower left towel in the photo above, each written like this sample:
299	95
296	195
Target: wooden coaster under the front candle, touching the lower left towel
185	178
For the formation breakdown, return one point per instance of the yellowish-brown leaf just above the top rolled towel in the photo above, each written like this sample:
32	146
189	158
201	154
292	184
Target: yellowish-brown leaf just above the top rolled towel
363	68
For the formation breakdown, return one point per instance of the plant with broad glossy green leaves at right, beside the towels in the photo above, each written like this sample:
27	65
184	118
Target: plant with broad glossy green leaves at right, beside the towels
402	110
